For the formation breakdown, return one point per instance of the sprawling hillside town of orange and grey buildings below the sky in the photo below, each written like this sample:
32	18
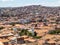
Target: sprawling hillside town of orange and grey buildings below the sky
30	25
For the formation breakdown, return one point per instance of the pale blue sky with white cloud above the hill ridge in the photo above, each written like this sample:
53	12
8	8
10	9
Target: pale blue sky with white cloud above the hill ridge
19	3
